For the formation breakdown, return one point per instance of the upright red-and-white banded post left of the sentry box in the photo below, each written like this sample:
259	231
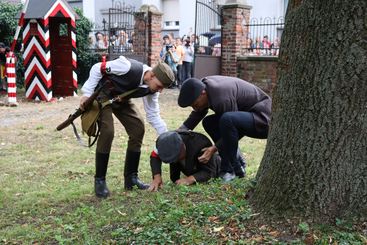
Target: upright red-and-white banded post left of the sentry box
10	72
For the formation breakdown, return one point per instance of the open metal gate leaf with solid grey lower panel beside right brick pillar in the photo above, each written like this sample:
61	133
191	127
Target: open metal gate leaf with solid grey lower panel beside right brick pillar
208	24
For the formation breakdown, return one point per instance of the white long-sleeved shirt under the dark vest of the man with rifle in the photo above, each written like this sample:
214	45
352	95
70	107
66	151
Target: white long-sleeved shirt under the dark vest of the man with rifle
120	67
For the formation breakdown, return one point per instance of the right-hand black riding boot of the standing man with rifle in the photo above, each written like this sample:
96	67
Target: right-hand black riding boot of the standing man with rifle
131	171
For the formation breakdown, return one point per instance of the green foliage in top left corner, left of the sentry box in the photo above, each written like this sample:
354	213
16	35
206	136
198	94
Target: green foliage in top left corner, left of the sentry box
8	22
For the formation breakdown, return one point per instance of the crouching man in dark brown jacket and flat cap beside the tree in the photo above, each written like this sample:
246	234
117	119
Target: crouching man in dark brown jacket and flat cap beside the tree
241	109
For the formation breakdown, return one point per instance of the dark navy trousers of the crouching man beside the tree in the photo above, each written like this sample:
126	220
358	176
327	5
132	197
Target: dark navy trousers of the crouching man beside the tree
230	128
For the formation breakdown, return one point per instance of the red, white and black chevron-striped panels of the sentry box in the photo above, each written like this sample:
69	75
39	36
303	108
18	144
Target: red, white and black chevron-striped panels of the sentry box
37	54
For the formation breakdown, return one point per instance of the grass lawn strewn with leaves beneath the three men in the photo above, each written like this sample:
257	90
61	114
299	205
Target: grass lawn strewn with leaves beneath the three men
46	193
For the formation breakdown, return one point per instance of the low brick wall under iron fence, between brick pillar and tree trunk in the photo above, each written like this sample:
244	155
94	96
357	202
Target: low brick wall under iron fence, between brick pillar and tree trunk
259	70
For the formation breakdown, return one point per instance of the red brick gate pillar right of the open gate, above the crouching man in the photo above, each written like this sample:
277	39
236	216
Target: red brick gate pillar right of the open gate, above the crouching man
234	34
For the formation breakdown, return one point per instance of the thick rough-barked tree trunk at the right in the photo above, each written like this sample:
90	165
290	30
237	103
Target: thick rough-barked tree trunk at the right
315	162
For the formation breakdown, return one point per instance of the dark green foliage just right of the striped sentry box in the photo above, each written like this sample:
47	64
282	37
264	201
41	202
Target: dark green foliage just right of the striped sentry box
85	58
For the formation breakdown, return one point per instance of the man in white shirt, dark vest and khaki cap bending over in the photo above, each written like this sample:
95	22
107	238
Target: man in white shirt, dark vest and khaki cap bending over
119	76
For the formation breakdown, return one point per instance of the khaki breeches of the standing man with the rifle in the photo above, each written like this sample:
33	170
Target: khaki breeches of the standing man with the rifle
127	113
